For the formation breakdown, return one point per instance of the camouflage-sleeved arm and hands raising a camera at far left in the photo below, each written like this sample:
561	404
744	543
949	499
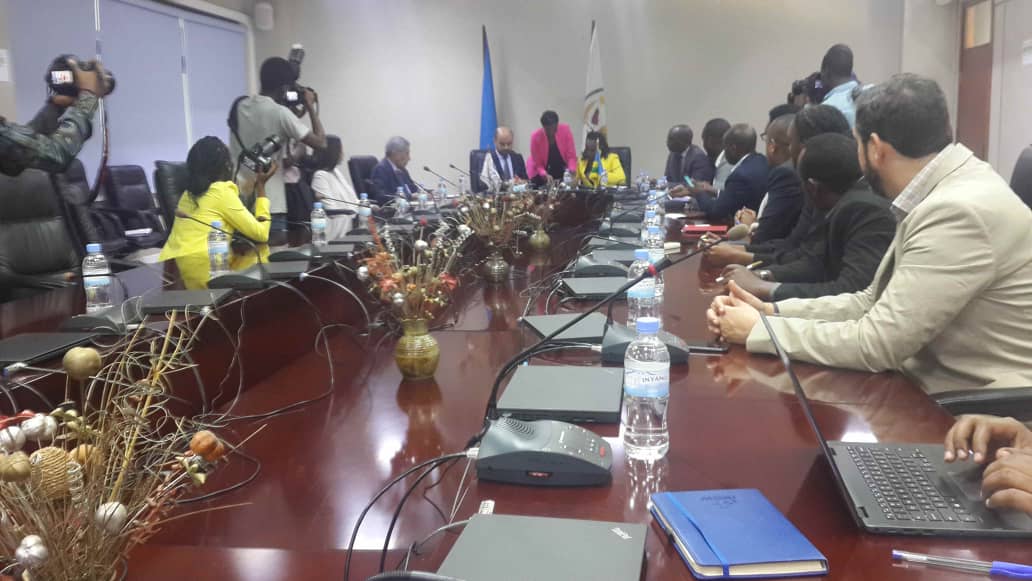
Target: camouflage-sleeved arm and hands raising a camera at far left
23	147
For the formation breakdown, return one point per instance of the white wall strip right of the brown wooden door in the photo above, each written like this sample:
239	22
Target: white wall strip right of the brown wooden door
1011	124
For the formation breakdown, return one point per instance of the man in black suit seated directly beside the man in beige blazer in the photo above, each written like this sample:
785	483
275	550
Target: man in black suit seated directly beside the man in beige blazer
848	241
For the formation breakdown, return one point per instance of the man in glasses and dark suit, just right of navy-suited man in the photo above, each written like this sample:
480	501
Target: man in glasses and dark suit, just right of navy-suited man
780	211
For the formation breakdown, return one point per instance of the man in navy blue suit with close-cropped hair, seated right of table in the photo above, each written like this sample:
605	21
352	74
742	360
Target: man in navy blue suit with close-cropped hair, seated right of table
747	184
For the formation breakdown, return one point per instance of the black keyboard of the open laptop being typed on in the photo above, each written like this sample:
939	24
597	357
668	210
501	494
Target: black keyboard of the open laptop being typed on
902	480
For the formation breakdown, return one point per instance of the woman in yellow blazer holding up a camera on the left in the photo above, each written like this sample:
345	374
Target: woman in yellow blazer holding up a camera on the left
212	196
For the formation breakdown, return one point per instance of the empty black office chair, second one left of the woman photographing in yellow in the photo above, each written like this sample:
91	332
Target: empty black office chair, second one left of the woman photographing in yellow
130	197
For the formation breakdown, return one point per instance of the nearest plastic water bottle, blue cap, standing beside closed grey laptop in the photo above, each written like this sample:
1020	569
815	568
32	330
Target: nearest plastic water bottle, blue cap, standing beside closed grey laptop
647	395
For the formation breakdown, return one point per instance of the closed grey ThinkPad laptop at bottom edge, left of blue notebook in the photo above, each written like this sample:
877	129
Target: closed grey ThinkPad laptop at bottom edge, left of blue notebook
524	548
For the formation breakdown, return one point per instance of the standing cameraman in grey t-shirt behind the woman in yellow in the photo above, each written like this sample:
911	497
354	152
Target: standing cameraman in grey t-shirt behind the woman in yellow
263	116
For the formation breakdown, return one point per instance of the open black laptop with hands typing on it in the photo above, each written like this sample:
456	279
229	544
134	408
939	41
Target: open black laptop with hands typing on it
909	489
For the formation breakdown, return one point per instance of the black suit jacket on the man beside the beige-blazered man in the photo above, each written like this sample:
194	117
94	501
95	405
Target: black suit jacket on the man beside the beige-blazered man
843	250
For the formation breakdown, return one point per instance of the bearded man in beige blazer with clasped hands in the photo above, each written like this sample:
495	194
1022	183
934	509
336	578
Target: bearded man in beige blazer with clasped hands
951	305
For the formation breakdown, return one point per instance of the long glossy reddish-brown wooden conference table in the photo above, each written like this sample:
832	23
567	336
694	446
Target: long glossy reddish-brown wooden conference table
734	424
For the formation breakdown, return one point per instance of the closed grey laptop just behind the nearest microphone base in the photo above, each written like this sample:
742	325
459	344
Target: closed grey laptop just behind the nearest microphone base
567	394
